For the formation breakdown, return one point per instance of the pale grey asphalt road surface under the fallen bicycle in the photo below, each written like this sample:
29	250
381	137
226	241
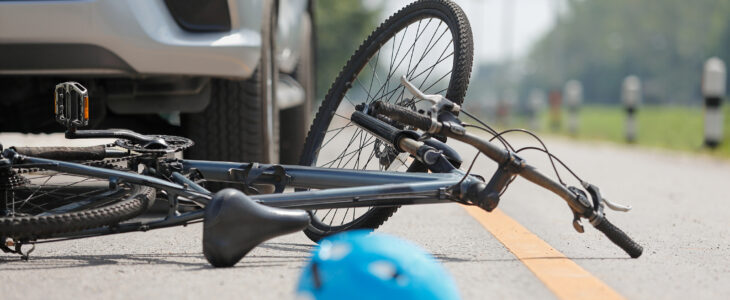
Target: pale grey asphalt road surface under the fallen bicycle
680	216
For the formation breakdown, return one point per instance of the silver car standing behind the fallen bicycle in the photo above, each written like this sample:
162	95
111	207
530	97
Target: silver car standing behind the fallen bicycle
234	71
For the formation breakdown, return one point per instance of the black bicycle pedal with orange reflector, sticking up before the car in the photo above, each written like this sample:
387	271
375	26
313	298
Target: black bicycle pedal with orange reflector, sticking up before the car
71	104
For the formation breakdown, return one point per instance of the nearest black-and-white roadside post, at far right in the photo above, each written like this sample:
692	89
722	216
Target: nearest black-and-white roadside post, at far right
713	90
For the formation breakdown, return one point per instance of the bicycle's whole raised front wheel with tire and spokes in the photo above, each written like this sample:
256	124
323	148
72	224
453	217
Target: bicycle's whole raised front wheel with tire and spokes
429	42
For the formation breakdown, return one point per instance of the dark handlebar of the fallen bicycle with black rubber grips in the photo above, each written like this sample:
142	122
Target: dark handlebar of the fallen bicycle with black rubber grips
501	156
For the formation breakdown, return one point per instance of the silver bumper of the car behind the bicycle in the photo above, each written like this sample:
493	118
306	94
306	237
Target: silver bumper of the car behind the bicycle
134	37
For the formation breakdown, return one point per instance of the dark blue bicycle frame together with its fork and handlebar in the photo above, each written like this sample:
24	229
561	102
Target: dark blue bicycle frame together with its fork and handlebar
340	188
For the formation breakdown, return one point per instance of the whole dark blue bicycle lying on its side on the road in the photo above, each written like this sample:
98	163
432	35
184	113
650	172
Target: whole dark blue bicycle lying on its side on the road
370	150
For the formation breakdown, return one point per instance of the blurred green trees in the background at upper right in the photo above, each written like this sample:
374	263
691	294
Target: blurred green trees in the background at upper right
664	42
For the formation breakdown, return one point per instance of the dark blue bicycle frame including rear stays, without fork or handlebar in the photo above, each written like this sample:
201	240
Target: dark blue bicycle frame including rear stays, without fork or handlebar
340	188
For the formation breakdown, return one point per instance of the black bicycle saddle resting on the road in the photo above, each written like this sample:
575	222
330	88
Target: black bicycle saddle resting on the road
234	224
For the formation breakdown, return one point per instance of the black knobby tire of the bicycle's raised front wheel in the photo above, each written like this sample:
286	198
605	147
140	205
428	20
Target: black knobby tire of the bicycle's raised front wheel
457	24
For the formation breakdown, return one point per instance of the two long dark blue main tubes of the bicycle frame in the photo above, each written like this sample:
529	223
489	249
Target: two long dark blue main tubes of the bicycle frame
342	188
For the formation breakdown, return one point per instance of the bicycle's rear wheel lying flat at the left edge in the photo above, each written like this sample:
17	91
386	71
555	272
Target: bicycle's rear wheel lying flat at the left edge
28	201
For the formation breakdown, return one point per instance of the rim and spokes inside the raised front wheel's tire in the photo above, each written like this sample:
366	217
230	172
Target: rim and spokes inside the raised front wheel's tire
423	51
